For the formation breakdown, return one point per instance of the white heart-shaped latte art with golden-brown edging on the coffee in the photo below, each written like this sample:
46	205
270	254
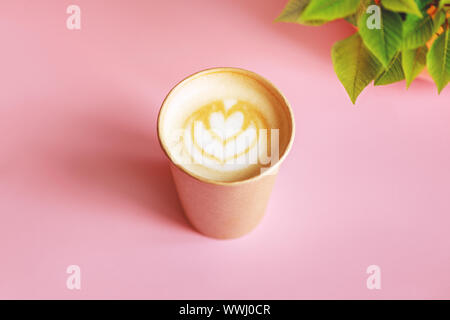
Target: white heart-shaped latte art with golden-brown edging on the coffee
224	135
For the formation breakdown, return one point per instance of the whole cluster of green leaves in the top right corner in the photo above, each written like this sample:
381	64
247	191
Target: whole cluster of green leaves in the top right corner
395	40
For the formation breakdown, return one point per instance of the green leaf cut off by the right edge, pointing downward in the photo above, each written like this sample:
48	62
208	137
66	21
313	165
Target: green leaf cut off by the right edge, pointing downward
438	60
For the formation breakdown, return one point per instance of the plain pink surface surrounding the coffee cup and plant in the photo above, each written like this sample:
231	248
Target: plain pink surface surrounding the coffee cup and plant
83	180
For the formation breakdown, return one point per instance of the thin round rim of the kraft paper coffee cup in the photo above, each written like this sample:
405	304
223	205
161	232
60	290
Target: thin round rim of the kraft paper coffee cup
271	170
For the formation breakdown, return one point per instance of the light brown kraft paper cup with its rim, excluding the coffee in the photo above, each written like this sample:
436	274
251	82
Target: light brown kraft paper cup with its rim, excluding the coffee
218	209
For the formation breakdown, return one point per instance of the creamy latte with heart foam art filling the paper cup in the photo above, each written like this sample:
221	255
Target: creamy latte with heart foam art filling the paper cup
225	125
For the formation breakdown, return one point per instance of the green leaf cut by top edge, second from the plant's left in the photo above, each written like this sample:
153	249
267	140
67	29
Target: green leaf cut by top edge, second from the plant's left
329	9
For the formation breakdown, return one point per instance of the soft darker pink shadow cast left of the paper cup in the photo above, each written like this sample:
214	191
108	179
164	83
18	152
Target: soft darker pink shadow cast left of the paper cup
115	155
